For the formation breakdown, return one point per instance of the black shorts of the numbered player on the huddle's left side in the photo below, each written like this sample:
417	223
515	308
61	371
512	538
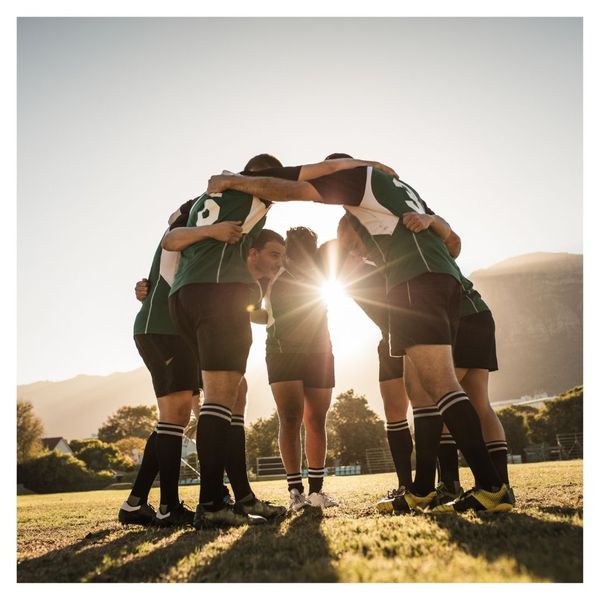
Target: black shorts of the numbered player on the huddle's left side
214	319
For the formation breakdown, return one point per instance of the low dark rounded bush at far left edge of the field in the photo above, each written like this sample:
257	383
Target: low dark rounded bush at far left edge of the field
55	472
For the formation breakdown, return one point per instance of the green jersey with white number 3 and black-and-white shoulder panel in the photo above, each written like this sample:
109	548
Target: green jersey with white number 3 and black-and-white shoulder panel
376	203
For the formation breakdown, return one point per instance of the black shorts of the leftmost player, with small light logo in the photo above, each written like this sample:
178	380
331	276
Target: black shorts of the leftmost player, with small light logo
171	363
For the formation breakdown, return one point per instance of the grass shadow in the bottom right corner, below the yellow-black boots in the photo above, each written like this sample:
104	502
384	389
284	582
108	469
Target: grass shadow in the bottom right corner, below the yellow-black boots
546	550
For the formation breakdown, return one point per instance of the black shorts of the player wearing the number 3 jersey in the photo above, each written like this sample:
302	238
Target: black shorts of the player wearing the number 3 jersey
424	310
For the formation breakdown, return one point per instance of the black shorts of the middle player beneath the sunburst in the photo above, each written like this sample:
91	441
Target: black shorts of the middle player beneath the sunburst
314	370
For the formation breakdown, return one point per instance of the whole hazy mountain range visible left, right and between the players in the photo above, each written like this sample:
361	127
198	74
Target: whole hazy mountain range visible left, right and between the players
537	301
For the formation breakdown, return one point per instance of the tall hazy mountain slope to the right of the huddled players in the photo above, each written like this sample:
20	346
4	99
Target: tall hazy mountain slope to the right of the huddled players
537	302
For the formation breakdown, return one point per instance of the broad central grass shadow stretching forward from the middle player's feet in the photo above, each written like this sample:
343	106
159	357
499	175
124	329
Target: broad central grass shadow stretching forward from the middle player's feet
292	551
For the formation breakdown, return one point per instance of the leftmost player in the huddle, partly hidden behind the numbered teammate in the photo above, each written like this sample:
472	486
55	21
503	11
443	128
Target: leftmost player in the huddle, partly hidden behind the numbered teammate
175	373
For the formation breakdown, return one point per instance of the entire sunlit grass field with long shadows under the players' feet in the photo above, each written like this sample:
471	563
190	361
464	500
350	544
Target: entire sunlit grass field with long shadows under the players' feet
76	538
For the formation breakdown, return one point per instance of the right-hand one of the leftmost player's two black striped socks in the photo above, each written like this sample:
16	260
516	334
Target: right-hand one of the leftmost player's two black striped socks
168	444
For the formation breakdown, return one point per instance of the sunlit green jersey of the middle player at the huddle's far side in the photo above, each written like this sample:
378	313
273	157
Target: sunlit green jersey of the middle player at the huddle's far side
297	316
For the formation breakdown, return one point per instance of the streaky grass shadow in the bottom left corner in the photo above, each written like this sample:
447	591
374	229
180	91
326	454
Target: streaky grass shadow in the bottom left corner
92	558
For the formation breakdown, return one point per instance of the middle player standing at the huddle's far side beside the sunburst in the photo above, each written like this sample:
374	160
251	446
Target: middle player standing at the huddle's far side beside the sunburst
300	365
